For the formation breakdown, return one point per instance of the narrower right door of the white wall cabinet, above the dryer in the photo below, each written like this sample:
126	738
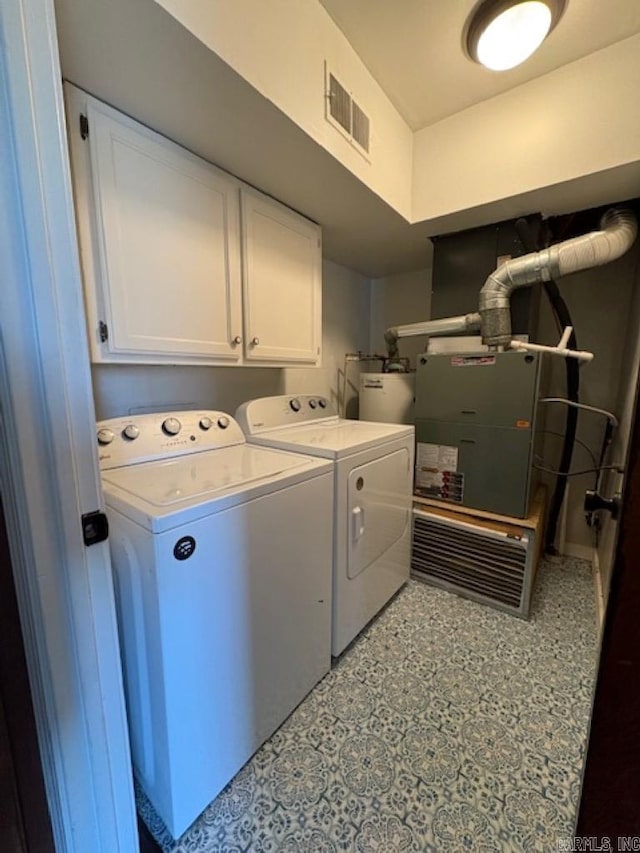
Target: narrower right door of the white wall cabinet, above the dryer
281	282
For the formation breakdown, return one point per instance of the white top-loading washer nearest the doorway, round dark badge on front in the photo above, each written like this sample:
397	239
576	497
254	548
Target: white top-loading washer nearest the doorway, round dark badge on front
222	563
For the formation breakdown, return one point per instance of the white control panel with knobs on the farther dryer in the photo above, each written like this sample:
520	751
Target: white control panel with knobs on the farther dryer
267	413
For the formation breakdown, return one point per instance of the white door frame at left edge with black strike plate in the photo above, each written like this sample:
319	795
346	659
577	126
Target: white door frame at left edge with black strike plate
48	465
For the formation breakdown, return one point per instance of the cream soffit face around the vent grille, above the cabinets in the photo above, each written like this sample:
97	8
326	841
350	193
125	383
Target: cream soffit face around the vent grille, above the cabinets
280	48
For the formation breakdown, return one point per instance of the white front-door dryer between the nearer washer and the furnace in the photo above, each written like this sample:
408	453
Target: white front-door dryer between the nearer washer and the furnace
373	465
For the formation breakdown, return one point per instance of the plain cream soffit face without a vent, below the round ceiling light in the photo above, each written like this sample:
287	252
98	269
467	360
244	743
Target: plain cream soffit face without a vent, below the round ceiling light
576	121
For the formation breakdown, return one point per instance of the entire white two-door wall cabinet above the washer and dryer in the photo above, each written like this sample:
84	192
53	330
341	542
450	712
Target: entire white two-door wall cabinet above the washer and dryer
161	250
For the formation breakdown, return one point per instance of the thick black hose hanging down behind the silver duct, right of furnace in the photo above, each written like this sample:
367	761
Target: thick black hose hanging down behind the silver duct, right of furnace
561	313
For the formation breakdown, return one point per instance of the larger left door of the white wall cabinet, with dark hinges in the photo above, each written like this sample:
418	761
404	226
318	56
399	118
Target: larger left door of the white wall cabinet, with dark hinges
167	253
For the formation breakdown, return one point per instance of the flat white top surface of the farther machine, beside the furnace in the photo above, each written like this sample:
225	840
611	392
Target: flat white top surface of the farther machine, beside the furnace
334	439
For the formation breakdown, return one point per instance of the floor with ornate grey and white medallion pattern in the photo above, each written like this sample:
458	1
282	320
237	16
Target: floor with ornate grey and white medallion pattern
446	726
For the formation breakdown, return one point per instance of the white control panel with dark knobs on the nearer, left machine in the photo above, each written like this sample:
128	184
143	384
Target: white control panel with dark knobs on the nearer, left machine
141	438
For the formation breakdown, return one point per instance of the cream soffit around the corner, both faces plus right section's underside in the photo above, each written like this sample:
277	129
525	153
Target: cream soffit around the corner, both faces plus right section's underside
558	138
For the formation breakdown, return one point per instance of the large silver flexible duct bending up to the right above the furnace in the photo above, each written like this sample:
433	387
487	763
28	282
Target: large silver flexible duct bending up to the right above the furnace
618	232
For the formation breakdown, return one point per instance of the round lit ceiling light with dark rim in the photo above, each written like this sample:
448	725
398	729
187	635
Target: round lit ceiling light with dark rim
501	34
